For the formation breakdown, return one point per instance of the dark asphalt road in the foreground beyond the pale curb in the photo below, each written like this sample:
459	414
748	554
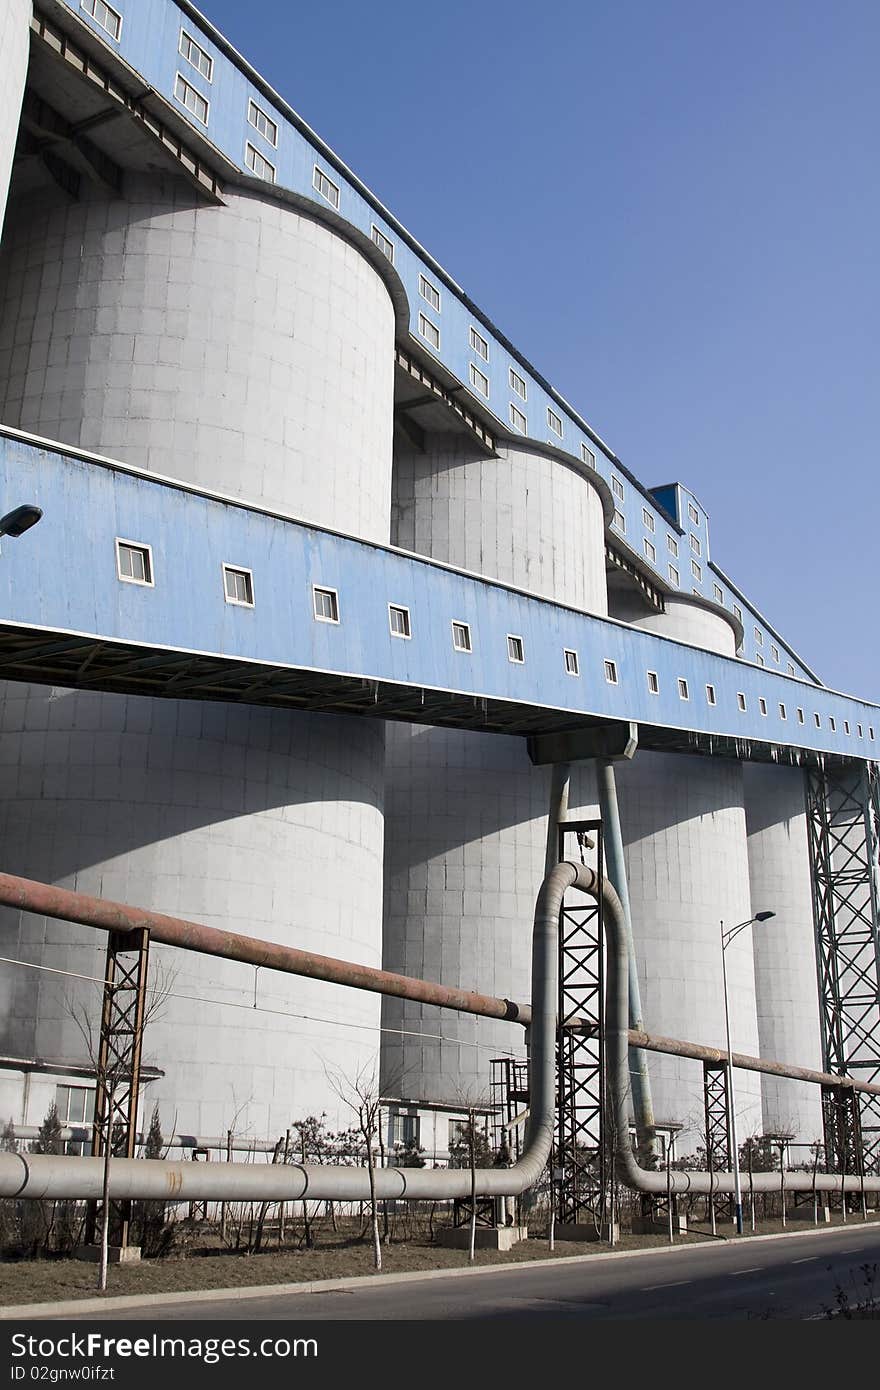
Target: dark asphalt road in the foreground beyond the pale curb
795	1277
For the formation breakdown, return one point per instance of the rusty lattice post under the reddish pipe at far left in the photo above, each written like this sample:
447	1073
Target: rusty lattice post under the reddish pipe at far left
119	1065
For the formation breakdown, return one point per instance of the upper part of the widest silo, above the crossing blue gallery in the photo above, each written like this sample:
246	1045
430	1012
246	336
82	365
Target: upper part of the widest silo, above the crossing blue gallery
243	348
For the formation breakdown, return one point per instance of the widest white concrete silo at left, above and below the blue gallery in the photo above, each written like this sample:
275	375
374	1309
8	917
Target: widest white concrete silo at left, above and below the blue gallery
248	350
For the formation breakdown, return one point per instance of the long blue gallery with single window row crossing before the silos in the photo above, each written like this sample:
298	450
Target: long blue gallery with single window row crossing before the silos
63	578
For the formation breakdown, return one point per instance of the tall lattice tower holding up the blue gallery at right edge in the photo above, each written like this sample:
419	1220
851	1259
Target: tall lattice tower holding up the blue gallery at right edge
843	815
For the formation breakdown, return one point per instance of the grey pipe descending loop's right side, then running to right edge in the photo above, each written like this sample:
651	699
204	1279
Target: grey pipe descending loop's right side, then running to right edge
618	1047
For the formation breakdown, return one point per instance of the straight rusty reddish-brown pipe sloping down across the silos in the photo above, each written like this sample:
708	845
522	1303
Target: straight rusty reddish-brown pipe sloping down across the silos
30	896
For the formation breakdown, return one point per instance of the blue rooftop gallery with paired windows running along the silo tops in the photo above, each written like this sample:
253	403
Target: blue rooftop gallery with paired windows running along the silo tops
151	45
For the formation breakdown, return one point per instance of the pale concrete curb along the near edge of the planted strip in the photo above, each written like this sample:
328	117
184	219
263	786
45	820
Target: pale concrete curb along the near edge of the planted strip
313	1286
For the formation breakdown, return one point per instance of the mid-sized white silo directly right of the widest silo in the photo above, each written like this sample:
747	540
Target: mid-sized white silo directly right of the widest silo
466	814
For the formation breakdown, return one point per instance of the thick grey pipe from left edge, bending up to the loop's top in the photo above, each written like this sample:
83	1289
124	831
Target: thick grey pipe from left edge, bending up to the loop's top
51	1177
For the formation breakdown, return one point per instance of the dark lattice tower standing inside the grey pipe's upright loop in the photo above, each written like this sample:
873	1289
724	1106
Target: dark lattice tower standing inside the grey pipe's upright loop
582	1157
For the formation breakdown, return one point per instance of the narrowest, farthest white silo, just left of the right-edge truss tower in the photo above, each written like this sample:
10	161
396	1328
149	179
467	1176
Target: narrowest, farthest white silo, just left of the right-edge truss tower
785	949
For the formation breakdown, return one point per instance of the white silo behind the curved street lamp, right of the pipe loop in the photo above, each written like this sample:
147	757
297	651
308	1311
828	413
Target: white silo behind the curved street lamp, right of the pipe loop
683	824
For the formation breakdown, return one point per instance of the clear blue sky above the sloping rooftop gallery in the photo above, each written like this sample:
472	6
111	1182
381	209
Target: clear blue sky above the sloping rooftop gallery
674	211
